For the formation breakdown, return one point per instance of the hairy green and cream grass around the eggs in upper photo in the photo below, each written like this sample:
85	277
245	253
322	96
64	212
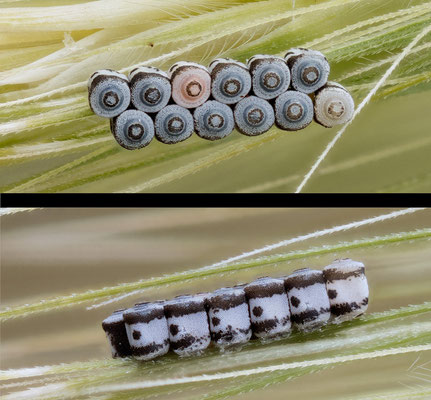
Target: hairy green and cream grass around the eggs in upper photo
51	142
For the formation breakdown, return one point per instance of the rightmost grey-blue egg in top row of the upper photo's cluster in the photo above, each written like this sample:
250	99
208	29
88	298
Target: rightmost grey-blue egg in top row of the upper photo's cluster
309	69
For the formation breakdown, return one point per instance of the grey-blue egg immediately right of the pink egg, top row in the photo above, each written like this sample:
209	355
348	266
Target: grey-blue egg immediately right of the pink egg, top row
230	80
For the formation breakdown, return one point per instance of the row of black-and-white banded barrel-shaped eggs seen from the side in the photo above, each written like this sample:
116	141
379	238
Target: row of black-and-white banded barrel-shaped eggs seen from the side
267	308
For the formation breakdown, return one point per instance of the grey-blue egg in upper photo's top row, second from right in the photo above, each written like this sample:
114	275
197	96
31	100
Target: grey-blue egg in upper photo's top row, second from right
270	76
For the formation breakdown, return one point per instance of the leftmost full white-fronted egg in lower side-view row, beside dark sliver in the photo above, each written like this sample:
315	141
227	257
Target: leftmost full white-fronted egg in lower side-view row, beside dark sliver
147	330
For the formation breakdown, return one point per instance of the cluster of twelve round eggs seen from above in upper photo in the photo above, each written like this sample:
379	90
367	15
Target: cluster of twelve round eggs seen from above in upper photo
289	92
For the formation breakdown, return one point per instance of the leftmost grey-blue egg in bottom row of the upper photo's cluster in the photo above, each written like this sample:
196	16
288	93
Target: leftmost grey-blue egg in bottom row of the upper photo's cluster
133	129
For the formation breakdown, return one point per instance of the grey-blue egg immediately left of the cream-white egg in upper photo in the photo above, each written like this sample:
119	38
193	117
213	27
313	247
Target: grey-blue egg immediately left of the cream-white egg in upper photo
293	110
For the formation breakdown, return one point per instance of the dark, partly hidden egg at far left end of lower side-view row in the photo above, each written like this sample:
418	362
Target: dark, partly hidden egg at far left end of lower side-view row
117	335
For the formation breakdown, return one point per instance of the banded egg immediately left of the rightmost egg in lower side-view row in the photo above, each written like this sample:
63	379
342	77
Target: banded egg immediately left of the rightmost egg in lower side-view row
308	299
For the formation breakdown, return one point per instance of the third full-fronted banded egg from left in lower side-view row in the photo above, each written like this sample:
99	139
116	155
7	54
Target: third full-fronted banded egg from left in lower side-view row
229	318
